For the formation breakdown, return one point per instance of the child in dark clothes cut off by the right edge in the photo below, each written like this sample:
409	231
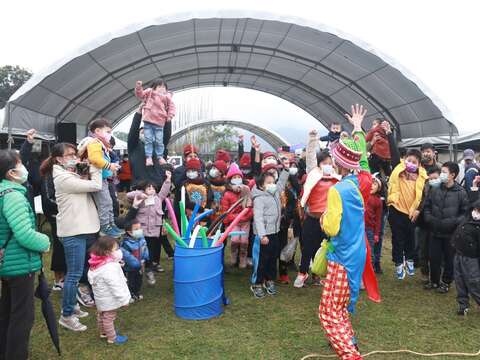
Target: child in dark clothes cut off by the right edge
466	242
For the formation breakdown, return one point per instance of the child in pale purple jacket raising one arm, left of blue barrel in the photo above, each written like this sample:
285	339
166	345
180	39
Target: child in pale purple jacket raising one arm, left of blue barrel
150	217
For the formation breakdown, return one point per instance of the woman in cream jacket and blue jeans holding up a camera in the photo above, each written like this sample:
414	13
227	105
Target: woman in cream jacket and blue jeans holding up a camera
77	226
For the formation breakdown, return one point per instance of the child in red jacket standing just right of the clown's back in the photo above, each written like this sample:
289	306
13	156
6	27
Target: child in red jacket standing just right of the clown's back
373	222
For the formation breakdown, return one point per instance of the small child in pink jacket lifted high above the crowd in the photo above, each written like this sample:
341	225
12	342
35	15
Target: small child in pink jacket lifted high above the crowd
159	108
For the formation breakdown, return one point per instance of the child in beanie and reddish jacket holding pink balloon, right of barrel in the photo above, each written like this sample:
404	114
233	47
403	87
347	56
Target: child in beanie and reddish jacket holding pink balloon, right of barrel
235	189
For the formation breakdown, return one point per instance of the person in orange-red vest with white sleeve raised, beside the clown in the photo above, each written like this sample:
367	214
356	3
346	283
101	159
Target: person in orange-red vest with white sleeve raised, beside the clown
320	178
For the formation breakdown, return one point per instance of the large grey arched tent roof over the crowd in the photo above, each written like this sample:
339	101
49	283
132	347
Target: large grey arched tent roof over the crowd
320	69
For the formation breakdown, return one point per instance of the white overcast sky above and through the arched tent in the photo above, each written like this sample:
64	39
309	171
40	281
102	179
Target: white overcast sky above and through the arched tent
437	41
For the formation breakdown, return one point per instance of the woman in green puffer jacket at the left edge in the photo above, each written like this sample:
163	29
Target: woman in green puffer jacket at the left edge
22	246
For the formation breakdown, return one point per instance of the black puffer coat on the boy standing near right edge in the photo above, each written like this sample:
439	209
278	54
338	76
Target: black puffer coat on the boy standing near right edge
445	209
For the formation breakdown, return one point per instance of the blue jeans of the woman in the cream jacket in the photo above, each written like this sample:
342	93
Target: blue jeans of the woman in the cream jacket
75	250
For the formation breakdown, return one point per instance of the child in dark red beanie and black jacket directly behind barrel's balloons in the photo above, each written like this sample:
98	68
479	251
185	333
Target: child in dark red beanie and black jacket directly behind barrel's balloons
197	188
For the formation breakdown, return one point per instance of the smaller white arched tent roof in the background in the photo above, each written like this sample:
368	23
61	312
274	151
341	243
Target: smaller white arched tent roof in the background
270	136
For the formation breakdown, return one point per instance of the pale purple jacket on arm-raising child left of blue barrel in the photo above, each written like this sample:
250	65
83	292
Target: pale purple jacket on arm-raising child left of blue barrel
150	217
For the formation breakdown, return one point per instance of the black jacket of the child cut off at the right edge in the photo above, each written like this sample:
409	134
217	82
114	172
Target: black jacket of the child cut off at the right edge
466	239
